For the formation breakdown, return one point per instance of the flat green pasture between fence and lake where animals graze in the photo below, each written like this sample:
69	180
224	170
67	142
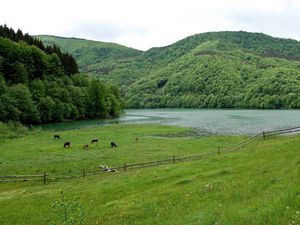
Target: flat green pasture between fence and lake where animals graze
39	152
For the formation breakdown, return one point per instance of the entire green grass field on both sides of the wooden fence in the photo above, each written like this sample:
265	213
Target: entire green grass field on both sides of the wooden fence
260	184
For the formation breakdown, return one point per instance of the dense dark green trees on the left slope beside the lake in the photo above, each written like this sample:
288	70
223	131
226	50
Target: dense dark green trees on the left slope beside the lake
42	84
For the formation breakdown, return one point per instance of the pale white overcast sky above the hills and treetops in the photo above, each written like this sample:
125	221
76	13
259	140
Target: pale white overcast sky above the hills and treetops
143	24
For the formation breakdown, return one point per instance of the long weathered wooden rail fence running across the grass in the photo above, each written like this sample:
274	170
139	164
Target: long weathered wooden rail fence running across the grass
55	177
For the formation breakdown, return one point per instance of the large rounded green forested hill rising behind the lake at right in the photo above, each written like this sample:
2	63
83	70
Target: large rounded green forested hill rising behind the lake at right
210	70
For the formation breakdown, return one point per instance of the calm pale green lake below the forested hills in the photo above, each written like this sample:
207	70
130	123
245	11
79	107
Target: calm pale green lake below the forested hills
204	121
